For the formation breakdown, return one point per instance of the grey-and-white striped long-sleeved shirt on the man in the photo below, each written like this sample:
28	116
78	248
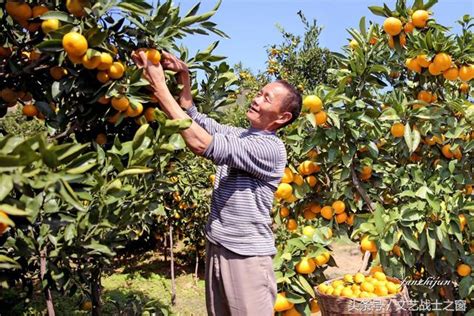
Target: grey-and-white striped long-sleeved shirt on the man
250	164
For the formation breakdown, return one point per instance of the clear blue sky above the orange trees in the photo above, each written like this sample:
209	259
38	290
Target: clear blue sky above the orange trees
251	24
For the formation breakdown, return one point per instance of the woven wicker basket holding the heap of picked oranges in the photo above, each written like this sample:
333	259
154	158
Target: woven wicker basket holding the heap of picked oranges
396	304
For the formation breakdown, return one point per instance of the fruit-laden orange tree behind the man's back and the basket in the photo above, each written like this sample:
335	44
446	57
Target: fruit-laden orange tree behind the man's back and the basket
384	157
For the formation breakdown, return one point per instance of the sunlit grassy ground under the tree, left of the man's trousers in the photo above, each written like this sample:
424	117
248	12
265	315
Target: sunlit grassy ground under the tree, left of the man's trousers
140	288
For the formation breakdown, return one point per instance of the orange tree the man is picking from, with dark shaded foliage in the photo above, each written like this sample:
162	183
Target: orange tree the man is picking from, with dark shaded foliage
67	67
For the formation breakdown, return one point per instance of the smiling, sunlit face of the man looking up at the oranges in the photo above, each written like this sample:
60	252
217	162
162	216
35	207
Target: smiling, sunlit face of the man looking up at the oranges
266	110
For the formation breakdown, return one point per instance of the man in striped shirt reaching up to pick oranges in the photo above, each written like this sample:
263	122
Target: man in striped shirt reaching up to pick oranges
240	243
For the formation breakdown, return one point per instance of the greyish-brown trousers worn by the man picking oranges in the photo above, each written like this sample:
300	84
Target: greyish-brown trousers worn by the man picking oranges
238	285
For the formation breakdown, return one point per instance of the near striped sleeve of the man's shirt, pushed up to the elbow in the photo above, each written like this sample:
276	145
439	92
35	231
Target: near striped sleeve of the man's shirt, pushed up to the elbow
259	155
